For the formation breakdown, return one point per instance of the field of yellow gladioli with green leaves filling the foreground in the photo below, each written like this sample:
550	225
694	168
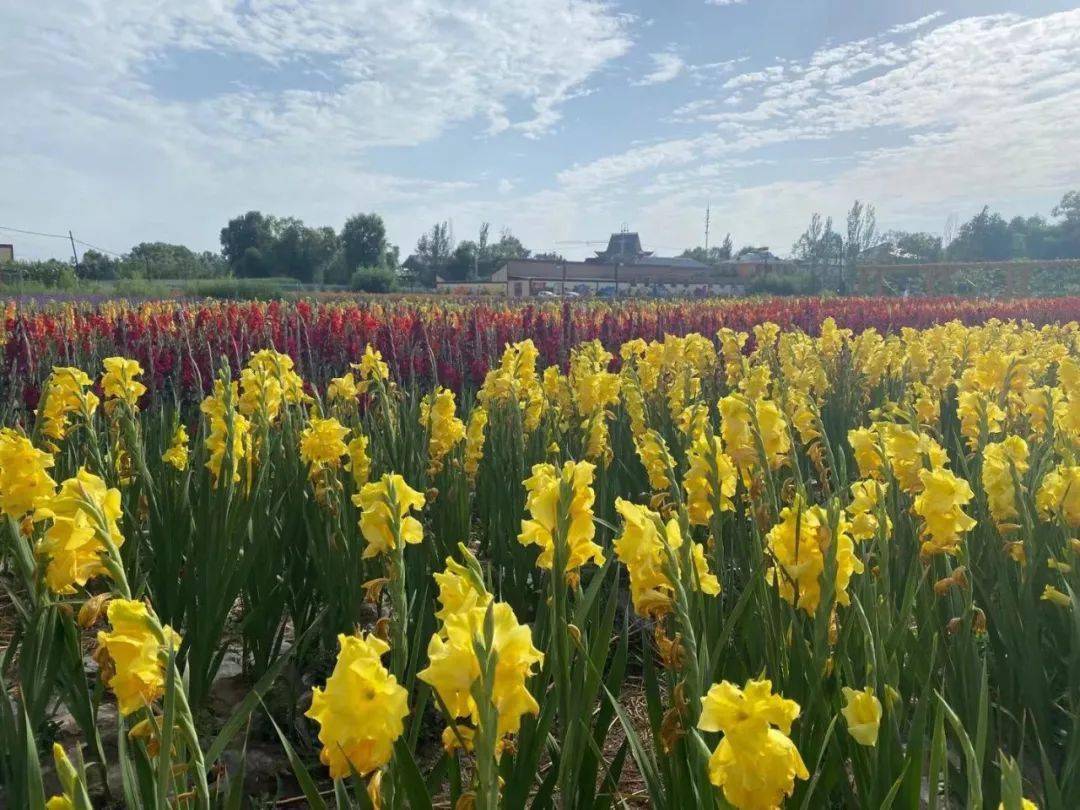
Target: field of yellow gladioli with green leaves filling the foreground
750	570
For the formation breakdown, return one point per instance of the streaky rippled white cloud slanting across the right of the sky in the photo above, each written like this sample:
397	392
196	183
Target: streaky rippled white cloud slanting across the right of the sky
967	113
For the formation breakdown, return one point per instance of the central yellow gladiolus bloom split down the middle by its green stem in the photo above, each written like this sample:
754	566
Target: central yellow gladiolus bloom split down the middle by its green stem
551	491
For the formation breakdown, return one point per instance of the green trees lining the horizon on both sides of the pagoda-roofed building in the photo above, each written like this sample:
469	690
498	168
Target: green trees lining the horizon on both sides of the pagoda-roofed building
260	246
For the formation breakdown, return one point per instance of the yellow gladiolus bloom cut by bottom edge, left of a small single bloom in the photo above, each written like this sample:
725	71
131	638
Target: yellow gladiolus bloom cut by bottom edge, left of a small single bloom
757	763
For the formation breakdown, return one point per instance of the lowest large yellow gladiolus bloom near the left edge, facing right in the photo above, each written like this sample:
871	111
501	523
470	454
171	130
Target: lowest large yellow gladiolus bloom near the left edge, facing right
136	652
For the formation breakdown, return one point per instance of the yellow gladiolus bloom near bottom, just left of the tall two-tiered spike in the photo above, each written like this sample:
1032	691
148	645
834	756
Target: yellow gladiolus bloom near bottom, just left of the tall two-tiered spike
362	710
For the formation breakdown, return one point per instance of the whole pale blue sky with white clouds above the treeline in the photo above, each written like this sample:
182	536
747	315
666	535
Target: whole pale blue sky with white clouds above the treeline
563	120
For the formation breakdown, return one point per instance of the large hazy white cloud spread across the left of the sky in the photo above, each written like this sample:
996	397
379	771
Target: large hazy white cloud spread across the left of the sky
93	141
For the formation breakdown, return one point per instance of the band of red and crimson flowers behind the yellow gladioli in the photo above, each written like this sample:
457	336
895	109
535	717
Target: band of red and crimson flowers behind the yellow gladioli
182	344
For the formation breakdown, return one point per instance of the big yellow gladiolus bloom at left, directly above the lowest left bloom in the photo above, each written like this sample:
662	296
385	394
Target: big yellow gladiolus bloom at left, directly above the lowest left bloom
73	545
